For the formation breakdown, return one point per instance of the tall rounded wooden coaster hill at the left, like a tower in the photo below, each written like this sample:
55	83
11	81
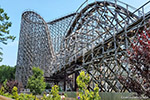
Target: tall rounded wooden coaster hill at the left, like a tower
35	46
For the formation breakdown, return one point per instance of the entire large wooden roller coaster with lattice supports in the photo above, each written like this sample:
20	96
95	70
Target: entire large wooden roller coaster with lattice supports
95	39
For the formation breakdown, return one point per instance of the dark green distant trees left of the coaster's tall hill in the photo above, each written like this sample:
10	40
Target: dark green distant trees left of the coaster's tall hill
7	73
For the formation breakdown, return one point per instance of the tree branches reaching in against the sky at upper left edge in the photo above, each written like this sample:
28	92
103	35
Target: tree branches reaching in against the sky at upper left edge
4	32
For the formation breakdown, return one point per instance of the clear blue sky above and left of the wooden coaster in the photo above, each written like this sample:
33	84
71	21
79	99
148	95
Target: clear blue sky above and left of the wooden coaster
48	9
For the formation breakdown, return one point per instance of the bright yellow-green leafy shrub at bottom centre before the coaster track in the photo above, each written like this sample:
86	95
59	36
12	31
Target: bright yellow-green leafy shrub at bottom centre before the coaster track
84	94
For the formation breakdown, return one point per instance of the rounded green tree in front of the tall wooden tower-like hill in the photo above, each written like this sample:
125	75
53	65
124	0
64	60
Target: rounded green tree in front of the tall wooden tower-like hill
36	82
